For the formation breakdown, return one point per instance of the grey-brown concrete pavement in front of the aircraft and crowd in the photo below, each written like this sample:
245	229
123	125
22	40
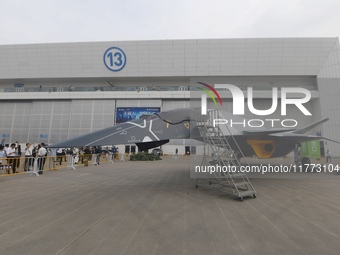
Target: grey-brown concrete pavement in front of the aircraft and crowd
154	208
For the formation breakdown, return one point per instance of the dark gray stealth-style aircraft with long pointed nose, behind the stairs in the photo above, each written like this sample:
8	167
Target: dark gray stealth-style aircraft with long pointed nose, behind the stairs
154	130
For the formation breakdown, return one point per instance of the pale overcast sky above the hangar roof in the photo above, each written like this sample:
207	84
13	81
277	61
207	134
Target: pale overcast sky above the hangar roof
47	21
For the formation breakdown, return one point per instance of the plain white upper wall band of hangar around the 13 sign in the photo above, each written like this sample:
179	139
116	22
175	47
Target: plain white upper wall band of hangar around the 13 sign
73	60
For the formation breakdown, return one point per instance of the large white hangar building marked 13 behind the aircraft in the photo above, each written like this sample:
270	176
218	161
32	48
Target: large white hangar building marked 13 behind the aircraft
52	92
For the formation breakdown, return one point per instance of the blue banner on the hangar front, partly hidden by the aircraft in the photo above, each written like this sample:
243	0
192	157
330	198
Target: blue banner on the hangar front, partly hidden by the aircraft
124	114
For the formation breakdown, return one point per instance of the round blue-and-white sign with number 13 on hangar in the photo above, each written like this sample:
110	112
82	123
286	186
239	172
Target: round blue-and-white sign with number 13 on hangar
114	59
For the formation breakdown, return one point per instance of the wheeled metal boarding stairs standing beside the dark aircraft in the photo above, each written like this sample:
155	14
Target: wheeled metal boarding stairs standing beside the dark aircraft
219	154
